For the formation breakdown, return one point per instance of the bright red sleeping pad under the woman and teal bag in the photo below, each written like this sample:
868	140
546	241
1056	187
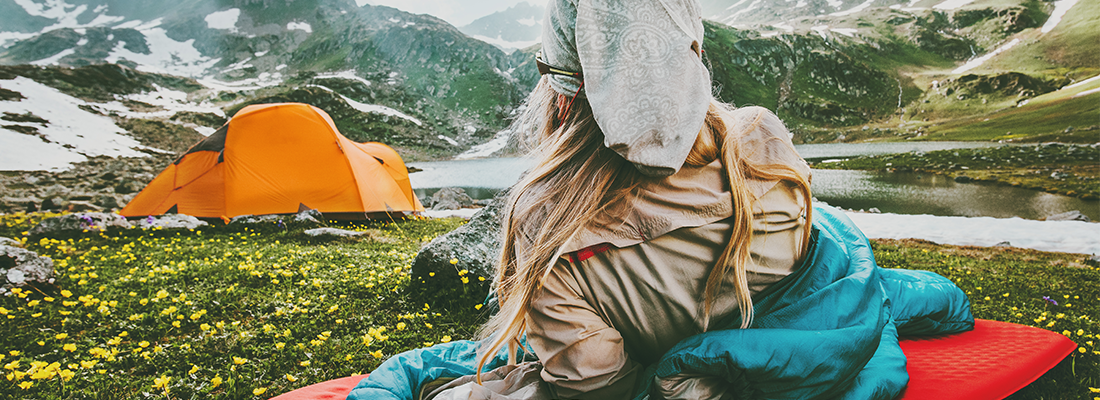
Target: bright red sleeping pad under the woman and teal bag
992	362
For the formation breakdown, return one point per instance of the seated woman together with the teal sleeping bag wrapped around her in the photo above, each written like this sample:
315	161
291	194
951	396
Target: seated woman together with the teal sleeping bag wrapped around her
656	225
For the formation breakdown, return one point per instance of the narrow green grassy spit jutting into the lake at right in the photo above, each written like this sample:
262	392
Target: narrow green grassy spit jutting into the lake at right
1066	170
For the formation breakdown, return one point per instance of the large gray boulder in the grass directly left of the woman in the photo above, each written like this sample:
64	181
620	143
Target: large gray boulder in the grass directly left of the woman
477	248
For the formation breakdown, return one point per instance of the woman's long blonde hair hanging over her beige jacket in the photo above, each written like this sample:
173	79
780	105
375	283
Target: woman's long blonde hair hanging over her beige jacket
576	177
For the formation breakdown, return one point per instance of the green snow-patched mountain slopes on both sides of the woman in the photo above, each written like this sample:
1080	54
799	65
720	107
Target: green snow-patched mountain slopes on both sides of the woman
146	74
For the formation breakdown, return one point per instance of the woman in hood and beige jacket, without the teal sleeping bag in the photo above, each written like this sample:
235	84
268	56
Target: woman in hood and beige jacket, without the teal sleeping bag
691	207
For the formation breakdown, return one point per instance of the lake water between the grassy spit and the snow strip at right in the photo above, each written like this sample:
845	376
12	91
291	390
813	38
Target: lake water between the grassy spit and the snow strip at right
925	194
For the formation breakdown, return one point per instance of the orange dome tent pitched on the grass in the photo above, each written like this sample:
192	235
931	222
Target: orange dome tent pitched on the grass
276	160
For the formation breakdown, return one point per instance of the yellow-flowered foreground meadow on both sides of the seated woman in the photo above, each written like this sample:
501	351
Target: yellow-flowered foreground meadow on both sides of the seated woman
232	314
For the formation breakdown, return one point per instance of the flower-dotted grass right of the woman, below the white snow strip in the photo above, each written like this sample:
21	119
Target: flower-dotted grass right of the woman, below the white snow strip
1010	285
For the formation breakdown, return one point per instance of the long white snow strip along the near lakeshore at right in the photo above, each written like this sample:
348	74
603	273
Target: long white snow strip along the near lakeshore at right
1066	237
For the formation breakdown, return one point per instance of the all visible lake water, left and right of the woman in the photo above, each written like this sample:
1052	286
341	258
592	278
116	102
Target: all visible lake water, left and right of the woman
895	193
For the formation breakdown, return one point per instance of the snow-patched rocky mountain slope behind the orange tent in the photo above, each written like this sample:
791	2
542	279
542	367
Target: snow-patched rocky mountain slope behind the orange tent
362	64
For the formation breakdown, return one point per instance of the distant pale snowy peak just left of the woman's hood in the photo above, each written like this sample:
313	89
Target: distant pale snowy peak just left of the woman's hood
516	28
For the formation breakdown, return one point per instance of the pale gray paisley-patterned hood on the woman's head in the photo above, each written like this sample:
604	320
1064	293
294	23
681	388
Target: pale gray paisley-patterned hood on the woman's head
643	72
